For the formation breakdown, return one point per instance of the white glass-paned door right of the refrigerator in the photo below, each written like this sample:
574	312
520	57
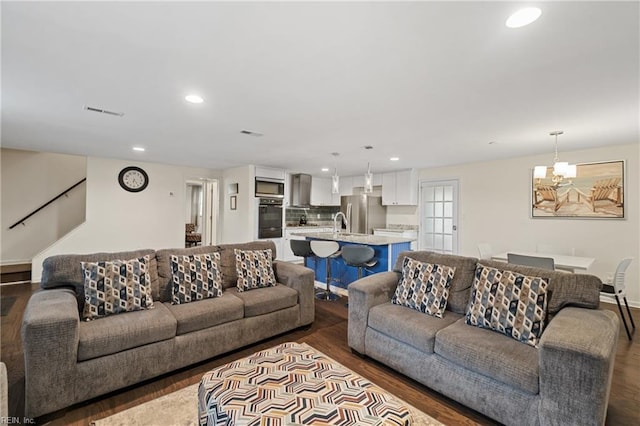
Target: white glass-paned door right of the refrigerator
439	216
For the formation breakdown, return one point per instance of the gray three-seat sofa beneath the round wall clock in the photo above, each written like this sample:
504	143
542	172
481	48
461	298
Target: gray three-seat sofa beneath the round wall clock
68	360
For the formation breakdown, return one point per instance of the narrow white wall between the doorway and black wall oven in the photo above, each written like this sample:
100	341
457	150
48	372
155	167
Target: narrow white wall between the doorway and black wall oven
238	225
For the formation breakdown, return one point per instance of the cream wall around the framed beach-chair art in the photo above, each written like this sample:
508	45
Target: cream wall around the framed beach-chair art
495	208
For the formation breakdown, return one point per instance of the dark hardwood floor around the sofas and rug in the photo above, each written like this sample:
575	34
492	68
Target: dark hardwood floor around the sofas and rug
327	334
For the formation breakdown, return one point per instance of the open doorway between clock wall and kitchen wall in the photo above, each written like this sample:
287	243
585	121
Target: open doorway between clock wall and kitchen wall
201	212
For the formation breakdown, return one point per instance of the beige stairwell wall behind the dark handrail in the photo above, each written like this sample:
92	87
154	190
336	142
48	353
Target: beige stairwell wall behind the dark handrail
30	179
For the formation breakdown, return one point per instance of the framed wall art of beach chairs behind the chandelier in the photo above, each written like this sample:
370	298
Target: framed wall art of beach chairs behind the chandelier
596	191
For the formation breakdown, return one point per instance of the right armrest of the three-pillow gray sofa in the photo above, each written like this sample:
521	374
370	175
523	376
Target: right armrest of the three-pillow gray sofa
301	279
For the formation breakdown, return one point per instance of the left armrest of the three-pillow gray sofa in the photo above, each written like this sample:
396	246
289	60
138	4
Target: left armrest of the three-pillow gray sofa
50	336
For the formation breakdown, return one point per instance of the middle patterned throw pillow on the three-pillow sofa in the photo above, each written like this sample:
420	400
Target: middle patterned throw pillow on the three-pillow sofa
195	277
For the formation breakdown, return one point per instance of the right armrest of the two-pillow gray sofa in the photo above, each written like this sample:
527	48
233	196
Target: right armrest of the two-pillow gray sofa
577	353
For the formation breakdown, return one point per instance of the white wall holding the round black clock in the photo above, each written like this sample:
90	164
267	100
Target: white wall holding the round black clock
118	220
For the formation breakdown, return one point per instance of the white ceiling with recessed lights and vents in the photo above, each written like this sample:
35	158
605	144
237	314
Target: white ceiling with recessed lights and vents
430	82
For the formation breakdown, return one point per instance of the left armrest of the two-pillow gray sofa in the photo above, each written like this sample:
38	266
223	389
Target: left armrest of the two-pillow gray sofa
364	294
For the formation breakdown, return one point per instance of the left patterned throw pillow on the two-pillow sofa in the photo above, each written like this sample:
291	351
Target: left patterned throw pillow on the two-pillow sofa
424	286
